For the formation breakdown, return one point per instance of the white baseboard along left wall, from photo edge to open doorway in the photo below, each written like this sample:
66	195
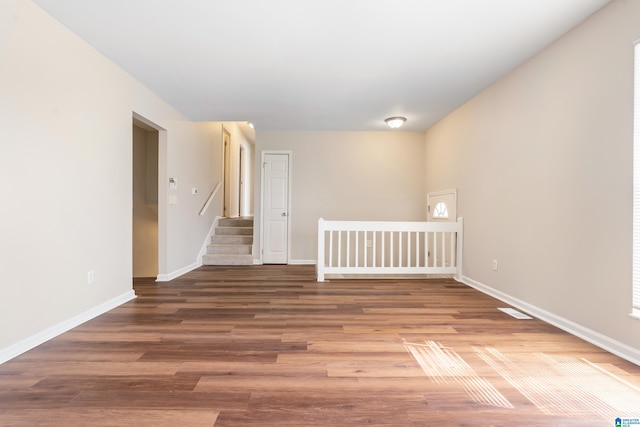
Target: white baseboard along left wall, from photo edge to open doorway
52	332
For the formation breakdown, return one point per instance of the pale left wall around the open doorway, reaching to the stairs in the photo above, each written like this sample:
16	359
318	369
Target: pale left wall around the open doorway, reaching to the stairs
66	160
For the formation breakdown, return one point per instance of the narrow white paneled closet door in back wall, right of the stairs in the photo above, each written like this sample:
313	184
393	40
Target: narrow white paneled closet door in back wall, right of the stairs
275	222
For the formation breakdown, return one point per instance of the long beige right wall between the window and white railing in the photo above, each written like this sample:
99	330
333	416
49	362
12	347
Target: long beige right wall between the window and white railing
543	163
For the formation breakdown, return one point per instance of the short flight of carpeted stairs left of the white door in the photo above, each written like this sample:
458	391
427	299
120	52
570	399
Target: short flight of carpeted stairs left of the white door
232	243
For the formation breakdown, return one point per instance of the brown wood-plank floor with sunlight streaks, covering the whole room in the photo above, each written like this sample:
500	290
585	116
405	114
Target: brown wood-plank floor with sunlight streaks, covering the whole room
267	345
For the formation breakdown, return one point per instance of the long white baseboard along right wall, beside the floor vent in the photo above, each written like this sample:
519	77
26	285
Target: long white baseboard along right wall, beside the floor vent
616	347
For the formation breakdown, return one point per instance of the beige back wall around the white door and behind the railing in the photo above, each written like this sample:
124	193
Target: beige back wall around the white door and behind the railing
346	176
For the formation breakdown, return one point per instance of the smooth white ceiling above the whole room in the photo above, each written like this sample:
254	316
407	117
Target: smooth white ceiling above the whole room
319	64
